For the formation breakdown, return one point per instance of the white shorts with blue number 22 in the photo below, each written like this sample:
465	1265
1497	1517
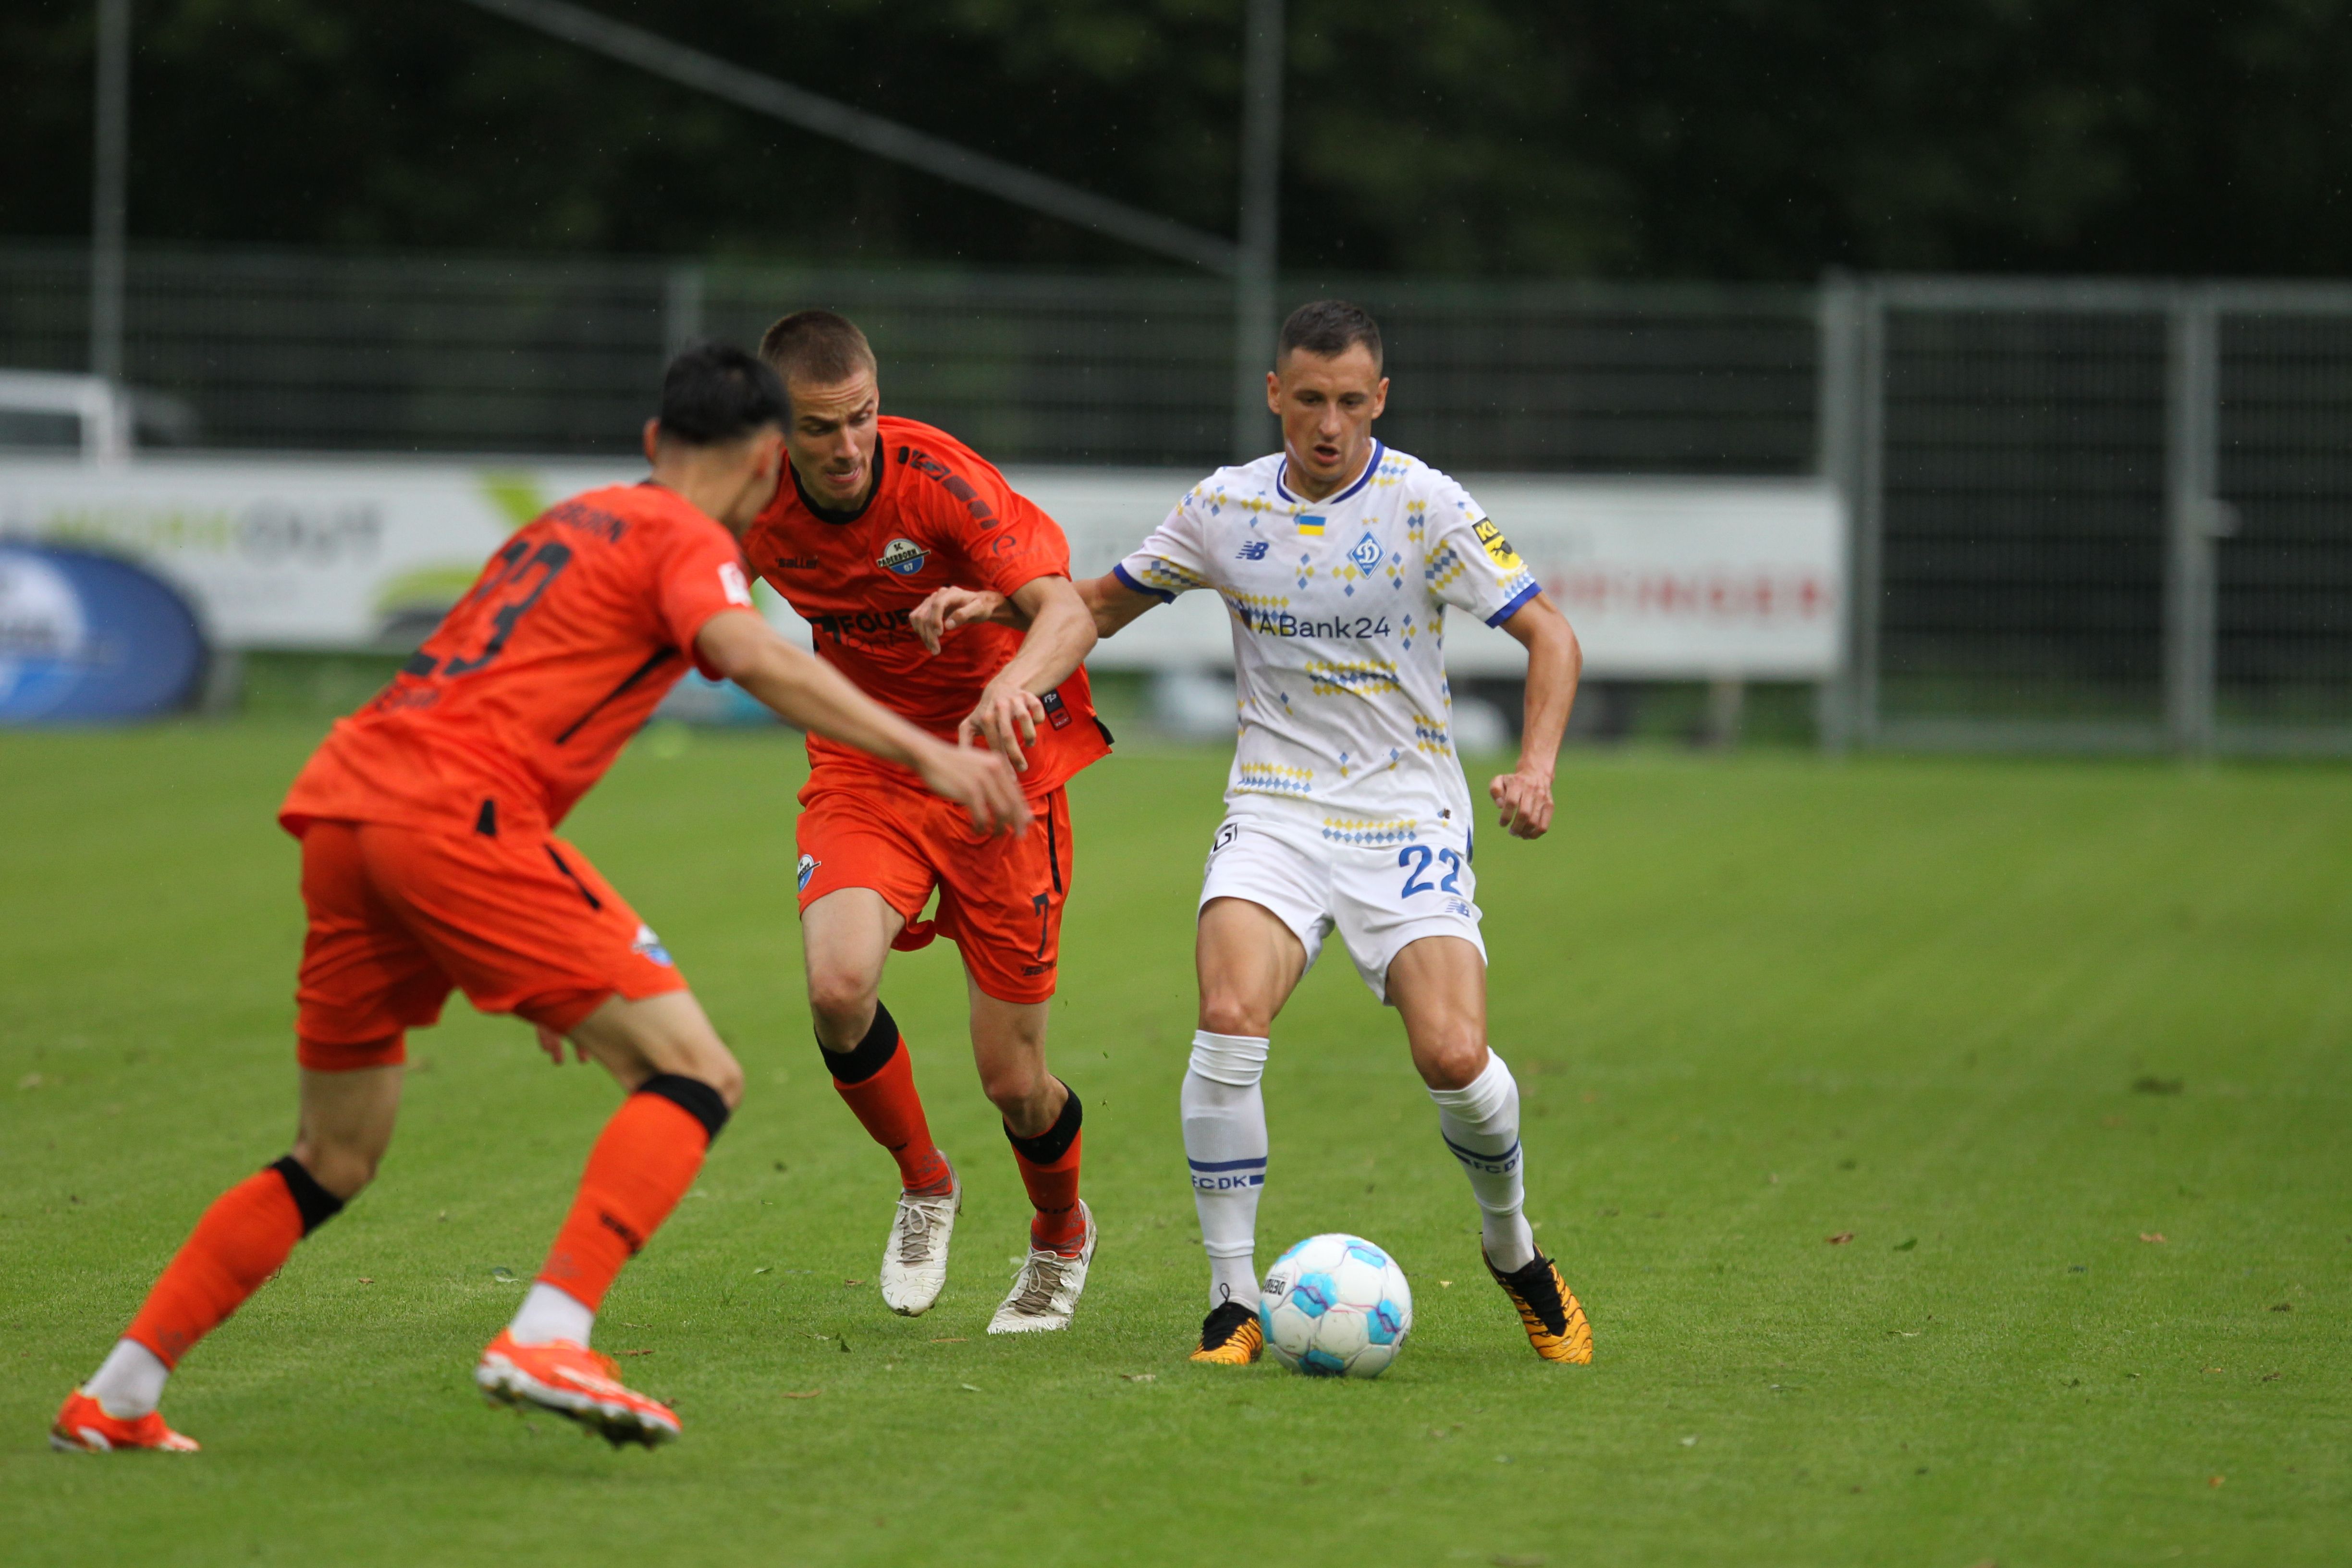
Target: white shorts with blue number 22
1377	894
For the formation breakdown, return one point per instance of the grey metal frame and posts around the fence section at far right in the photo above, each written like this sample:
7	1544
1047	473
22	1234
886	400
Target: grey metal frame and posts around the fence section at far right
1855	394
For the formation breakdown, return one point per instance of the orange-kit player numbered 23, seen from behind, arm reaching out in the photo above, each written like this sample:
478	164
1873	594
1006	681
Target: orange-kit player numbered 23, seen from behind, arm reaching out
432	862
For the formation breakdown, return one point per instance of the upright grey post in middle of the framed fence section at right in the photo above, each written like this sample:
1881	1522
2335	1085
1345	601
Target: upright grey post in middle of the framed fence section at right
2193	514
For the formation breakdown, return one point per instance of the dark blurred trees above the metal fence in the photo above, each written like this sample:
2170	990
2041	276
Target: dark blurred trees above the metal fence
1737	140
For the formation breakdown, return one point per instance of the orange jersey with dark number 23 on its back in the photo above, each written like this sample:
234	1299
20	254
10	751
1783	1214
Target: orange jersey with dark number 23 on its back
542	674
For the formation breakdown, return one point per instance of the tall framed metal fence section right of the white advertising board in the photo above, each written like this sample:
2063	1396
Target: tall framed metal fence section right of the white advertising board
2097	516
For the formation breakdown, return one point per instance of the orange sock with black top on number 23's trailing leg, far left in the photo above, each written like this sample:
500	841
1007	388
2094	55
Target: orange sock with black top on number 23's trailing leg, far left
232	1254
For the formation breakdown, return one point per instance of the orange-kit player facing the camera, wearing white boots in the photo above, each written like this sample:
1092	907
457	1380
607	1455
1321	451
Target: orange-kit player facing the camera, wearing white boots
871	518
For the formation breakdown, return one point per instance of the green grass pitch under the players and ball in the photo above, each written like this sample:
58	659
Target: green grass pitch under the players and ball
2064	1050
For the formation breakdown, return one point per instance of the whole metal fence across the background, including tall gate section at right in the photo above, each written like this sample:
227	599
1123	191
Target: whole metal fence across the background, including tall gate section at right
2085	516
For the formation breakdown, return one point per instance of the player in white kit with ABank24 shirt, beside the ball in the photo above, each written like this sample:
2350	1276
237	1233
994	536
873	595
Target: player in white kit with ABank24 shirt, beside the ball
1347	810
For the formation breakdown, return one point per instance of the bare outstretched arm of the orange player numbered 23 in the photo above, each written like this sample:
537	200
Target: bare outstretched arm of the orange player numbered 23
813	695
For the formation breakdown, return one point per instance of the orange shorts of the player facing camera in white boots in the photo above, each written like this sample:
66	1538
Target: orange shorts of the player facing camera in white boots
998	897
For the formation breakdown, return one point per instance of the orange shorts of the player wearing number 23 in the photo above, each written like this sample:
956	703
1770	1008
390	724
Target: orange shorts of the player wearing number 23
399	918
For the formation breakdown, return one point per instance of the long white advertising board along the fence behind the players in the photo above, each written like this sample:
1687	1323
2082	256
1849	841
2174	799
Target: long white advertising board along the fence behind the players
1662	577
